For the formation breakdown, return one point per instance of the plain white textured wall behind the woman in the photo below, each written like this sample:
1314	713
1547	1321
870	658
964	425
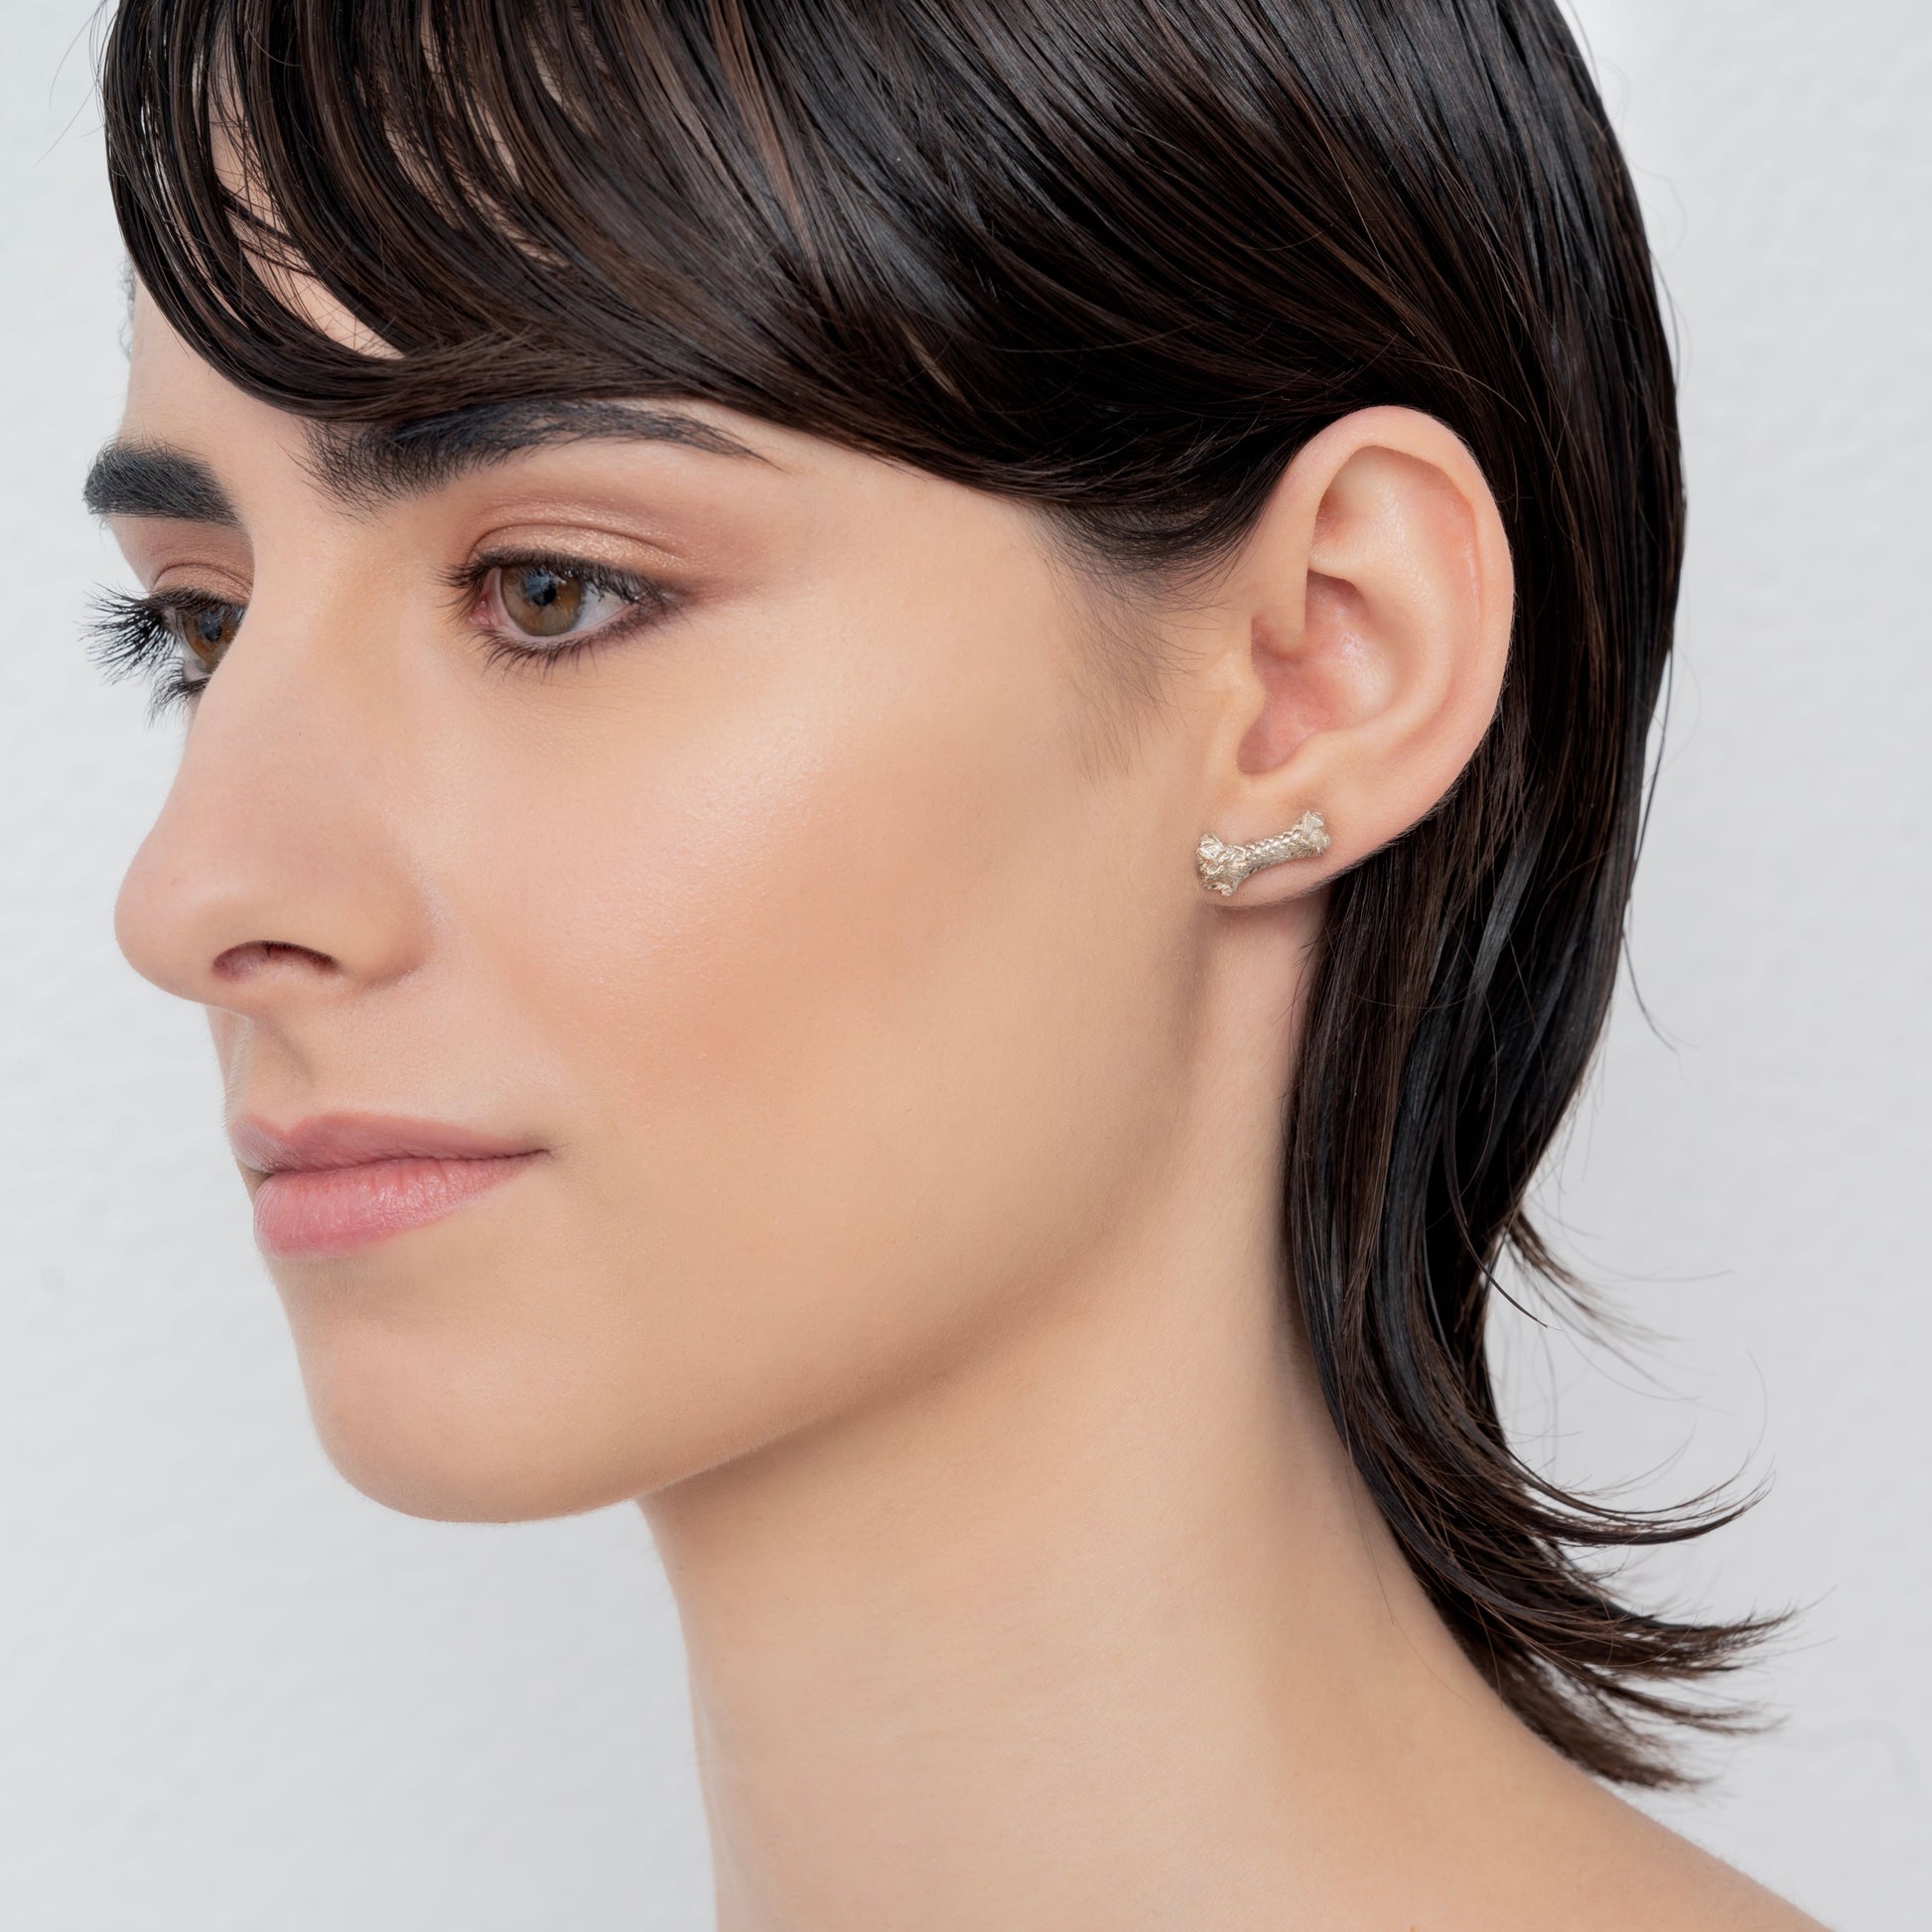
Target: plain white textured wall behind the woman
237	1695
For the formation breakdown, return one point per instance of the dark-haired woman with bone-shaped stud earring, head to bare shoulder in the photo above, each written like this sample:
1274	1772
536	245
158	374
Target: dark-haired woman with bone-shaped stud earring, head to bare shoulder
917	743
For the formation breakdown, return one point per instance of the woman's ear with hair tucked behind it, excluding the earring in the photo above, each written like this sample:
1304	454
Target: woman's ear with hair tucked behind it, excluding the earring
1365	629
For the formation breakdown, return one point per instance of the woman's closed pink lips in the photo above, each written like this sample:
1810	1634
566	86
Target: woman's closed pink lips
341	1181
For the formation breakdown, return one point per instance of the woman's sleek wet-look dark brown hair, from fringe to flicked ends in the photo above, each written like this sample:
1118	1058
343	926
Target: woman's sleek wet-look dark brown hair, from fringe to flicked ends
1120	260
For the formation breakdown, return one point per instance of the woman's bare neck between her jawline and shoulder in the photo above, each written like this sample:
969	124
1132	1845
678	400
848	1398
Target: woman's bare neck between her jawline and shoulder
1093	1628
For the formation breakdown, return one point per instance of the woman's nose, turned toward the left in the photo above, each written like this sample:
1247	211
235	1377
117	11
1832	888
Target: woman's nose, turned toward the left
275	874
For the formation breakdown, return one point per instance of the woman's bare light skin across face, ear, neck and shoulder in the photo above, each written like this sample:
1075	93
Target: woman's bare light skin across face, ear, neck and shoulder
905	1232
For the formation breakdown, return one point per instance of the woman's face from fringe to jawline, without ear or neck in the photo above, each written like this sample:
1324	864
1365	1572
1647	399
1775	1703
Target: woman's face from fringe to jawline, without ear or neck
722	880
